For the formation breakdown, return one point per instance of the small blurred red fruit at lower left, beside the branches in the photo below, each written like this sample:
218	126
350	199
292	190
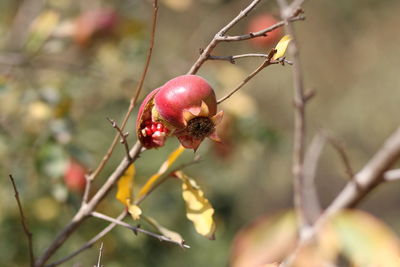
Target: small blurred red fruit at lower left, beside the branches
74	176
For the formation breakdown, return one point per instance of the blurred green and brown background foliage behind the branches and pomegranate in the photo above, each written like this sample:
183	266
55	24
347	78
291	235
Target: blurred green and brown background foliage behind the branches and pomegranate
67	65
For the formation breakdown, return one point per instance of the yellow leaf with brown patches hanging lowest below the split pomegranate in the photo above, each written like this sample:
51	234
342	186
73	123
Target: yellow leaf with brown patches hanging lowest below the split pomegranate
198	208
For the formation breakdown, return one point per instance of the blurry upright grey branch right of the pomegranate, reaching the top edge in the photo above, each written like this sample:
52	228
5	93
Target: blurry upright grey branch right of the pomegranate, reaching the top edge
299	122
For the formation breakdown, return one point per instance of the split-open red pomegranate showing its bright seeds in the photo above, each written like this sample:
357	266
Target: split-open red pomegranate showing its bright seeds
185	106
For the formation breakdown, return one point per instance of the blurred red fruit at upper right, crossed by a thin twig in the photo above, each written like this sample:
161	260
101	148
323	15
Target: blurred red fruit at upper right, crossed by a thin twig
262	22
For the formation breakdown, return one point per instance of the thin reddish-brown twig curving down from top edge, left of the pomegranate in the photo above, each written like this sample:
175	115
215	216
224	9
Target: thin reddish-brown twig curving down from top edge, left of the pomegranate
136	96
